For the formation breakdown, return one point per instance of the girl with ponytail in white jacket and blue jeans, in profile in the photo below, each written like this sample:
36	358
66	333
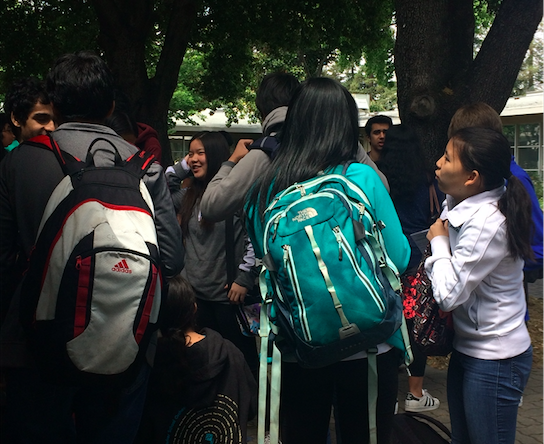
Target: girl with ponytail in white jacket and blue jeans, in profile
478	249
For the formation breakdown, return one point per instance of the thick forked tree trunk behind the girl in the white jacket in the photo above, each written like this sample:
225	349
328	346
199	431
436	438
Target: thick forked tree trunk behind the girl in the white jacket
435	69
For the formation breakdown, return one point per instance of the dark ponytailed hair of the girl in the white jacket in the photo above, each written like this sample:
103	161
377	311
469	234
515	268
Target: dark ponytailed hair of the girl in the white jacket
488	152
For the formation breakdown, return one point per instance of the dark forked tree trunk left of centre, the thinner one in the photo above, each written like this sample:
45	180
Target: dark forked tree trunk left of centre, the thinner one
125	27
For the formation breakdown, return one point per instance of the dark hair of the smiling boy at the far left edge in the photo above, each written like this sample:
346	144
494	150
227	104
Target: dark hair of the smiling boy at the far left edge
23	96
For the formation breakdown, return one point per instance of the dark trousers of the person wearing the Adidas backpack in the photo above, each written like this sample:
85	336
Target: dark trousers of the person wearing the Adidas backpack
37	412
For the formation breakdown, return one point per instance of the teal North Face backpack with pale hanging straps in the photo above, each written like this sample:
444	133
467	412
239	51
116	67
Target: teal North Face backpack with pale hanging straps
329	288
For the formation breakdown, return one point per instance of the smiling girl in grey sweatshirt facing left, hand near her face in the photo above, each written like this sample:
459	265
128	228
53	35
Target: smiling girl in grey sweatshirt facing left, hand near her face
205	244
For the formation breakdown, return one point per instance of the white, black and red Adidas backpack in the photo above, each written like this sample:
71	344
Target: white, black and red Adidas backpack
92	291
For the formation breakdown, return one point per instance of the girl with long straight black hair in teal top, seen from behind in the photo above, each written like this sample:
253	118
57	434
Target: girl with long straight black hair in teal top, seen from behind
320	133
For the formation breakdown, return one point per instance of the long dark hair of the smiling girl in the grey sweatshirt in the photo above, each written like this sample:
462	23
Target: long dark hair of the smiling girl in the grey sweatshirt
217	151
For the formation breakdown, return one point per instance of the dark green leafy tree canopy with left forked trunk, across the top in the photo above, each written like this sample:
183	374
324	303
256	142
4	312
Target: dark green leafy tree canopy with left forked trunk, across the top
186	55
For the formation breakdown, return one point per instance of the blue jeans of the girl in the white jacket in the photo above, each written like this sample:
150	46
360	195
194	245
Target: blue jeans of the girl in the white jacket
483	397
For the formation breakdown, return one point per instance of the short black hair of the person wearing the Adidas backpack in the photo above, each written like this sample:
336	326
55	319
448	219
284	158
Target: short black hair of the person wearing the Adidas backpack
81	87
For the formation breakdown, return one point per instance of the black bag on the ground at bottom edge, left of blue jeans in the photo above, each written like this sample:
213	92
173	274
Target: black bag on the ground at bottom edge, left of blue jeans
417	428
